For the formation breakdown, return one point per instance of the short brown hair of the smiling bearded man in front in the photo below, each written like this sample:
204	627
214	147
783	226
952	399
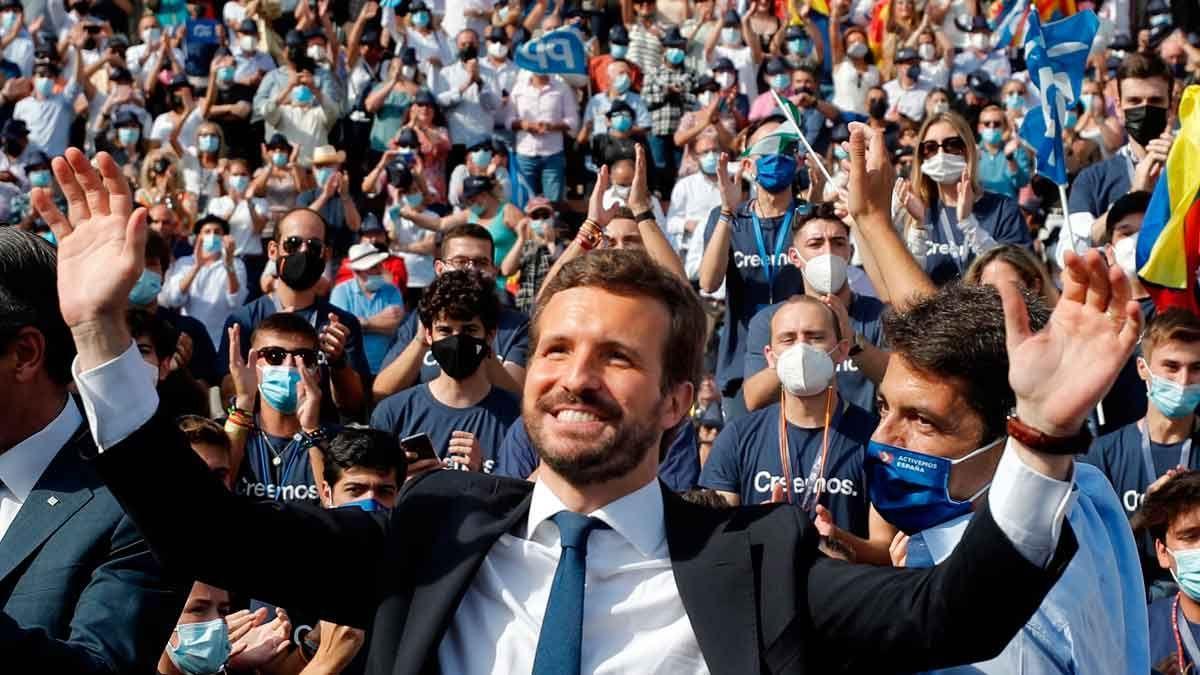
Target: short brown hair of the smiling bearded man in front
632	273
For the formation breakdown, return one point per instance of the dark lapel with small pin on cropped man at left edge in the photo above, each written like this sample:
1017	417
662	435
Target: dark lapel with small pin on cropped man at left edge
57	497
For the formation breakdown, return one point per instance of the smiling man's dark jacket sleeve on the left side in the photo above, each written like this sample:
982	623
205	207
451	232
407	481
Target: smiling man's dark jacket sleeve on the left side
231	542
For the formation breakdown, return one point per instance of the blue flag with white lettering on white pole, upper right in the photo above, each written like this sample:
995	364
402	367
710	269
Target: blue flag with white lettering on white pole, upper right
1057	56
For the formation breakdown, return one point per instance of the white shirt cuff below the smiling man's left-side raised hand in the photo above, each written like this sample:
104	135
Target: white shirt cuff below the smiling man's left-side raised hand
118	397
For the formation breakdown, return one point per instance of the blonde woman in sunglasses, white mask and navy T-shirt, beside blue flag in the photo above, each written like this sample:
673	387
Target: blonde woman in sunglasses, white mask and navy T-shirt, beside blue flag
955	219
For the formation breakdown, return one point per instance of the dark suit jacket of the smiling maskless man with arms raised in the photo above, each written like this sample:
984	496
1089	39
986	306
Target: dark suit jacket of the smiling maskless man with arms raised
759	595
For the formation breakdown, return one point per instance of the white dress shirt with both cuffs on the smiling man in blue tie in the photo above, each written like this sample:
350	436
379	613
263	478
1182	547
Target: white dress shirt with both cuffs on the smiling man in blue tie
634	620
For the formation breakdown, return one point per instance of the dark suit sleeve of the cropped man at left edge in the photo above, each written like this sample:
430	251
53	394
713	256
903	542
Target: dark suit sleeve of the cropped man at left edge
125	592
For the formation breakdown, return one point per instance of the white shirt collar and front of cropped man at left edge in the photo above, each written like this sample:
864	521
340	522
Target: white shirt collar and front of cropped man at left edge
23	465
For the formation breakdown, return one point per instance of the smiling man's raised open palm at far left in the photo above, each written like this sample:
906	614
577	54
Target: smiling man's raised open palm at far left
101	252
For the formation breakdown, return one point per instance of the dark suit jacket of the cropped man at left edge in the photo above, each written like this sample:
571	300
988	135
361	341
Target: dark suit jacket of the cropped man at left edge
80	590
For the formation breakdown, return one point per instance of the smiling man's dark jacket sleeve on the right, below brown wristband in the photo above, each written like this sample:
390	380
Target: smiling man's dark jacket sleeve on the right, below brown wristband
965	611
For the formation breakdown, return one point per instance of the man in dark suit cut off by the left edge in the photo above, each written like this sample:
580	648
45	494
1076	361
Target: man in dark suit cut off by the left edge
80	590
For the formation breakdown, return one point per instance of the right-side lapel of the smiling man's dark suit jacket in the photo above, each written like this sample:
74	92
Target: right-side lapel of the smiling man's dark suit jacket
716	578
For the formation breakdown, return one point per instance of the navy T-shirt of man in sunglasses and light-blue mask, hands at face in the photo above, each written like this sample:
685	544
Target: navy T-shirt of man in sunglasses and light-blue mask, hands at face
291	481
